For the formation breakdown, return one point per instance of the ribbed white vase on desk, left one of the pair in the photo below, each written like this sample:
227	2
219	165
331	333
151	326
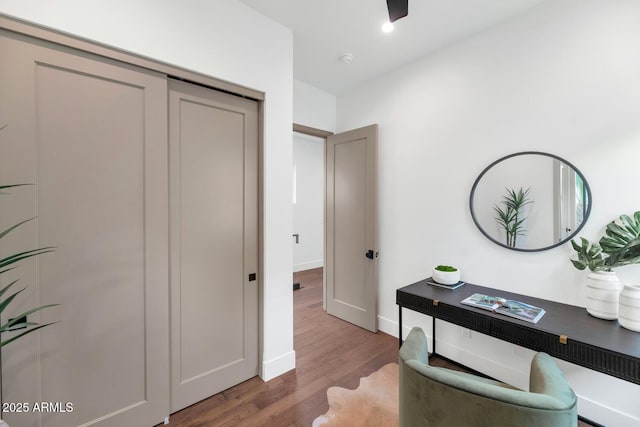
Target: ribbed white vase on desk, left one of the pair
603	290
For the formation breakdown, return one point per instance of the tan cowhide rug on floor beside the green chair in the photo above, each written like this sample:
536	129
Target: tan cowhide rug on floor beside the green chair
374	403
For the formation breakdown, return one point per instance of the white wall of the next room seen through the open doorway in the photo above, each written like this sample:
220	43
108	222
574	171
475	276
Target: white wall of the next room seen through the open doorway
308	209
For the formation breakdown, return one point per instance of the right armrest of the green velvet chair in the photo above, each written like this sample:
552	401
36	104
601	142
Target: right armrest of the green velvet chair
547	378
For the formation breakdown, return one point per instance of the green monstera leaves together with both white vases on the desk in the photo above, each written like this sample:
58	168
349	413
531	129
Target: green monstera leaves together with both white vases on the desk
619	246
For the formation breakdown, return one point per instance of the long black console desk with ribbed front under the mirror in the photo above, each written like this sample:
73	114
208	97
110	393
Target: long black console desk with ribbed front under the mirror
565	331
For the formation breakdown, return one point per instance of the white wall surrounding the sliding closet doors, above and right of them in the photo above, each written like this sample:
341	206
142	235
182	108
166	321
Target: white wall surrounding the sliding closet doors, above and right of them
227	40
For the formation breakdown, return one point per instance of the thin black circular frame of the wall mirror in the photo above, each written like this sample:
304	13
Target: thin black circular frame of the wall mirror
563	241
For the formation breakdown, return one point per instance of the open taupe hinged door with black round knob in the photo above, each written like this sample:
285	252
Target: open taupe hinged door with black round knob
351	226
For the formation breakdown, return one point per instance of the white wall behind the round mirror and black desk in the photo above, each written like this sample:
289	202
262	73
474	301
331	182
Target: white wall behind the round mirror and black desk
562	78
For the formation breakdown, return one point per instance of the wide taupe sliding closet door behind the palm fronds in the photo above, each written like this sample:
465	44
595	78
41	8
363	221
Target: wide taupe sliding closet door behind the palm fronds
91	135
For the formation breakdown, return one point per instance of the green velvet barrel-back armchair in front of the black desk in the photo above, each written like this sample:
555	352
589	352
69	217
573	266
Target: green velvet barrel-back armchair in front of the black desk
432	396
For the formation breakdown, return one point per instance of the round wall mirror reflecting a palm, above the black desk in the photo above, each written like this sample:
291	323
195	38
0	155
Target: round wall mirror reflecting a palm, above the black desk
530	201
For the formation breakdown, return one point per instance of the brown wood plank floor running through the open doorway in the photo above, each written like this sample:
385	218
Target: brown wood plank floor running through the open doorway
329	352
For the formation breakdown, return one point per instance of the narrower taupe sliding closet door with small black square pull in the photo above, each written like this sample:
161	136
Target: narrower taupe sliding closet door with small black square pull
214	246
